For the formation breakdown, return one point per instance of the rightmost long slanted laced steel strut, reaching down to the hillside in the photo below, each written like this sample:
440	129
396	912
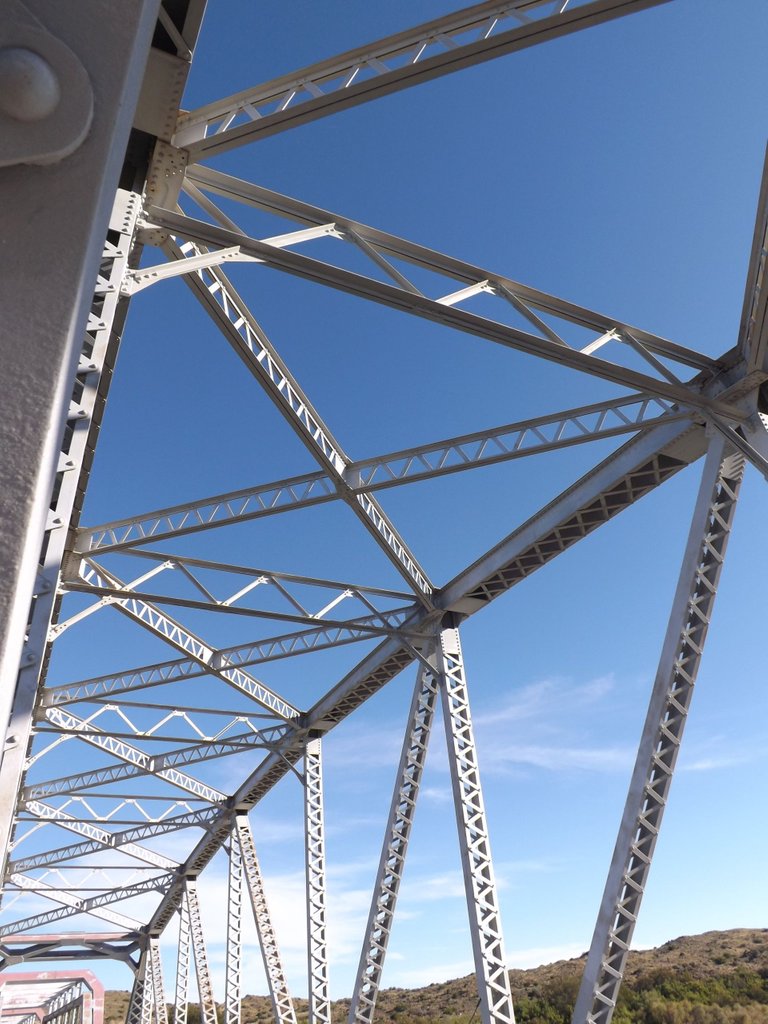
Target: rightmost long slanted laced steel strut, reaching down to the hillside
663	734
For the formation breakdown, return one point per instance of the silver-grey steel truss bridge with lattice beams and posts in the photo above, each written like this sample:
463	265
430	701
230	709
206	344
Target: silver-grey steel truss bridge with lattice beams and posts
147	736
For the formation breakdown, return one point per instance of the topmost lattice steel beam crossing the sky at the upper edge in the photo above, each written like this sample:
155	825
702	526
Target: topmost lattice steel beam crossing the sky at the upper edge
388	66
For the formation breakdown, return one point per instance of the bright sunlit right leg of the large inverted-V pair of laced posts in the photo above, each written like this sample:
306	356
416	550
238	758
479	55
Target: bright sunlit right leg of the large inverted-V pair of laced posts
480	884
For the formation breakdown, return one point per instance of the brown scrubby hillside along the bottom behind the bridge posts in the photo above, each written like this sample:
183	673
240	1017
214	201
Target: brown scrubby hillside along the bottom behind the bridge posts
715	978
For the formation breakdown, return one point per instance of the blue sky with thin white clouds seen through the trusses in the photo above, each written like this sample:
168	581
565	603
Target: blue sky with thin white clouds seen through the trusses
618	168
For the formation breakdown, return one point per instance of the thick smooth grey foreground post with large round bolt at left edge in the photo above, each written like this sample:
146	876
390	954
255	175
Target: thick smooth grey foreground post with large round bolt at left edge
41	340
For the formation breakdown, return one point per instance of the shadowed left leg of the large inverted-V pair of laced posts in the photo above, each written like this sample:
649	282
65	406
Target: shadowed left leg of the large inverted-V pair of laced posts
397	838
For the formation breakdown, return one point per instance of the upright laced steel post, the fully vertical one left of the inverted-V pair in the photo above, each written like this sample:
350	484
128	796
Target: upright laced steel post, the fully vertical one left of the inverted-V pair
320	1004
